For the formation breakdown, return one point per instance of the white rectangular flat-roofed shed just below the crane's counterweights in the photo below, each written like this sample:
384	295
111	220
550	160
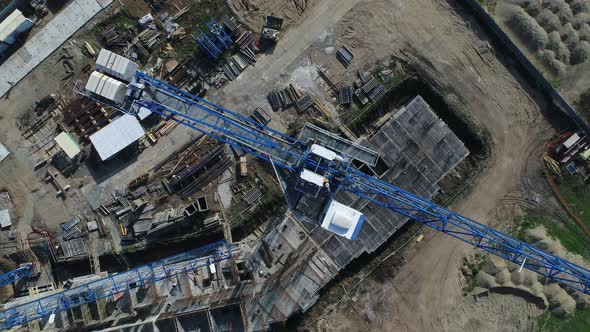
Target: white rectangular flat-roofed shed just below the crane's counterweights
116	136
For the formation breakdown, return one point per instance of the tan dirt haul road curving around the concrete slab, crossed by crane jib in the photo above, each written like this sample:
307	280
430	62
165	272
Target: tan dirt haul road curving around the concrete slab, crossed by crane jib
451	49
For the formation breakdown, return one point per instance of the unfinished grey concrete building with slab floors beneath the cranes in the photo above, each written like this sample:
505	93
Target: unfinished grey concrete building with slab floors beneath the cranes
278	271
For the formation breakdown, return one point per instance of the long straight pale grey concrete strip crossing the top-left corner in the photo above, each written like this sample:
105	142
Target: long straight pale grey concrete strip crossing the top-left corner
52	36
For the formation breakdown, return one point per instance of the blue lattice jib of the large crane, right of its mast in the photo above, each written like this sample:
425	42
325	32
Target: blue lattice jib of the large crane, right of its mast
467	230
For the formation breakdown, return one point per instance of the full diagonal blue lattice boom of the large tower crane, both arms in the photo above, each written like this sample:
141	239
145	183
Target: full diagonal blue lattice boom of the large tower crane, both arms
294	155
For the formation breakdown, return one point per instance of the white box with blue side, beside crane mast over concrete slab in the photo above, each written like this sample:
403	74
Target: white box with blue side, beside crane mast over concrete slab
343	220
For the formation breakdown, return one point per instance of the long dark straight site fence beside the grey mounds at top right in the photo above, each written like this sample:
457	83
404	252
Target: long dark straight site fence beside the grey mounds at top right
528	69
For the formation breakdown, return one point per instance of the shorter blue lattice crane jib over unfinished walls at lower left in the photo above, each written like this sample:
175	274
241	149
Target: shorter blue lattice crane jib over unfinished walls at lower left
115	284
